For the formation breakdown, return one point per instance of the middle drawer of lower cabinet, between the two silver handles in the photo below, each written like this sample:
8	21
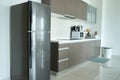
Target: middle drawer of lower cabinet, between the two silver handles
63	53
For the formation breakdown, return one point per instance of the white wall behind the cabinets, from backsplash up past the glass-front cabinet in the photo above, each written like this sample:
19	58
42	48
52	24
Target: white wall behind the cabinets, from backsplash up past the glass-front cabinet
60	28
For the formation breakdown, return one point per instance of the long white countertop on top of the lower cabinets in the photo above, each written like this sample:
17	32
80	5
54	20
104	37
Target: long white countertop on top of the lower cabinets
64	41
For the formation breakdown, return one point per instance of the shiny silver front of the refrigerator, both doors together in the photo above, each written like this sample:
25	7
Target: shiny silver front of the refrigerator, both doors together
40	42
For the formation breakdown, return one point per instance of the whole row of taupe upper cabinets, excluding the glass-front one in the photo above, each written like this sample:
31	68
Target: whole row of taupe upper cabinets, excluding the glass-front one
70	8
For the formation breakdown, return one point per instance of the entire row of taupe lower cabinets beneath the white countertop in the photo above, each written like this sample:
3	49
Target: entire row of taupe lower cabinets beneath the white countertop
67	55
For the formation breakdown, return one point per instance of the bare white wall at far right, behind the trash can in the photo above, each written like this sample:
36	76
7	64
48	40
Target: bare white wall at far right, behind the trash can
111	25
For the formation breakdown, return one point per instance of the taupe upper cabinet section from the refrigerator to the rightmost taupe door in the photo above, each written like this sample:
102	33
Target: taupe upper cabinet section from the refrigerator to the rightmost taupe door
64	7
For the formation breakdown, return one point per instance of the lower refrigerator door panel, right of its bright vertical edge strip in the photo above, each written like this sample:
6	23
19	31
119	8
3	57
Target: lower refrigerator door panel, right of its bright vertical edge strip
42	56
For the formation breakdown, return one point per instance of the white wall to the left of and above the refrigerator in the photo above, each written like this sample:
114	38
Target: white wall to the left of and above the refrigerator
5	36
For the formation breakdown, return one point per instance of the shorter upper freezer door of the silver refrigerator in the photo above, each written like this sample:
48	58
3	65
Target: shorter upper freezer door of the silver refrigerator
39	17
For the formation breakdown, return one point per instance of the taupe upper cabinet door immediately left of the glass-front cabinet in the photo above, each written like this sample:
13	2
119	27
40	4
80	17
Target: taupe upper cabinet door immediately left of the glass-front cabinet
81	10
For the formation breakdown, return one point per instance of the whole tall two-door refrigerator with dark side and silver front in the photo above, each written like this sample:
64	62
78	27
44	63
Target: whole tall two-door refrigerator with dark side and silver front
30	41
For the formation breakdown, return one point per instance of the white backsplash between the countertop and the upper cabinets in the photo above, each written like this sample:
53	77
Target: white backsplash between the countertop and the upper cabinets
60	26
